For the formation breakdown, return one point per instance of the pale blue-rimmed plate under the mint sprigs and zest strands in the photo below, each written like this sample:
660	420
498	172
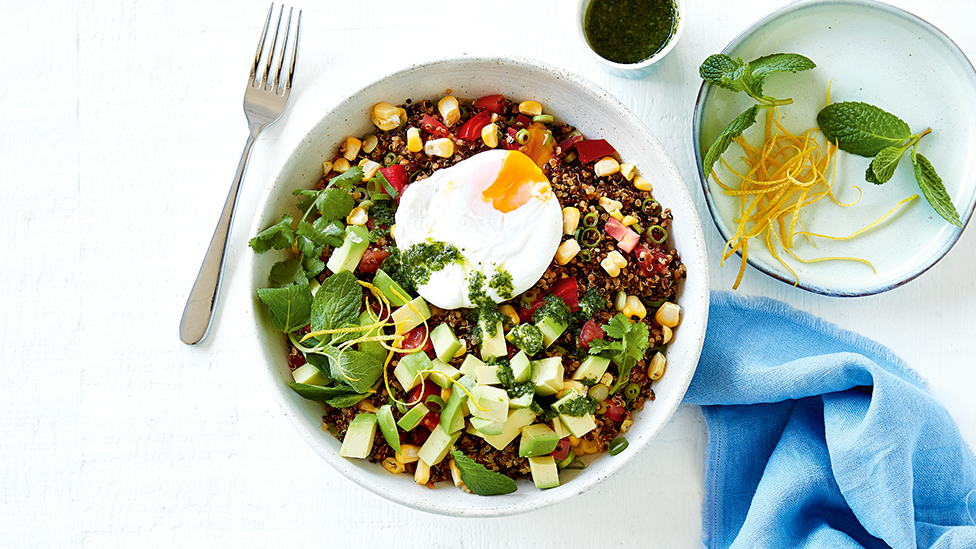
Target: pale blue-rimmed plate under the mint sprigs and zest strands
871	52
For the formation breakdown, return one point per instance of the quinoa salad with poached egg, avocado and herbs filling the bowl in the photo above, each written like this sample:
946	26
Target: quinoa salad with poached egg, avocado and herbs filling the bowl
476	292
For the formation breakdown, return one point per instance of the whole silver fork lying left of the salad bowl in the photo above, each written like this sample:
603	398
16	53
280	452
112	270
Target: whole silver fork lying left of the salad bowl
265	99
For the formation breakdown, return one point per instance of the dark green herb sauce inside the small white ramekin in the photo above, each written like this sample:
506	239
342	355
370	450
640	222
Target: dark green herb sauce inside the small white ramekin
629	31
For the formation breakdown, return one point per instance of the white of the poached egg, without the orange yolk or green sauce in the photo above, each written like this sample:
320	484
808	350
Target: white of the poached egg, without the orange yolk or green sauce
449	207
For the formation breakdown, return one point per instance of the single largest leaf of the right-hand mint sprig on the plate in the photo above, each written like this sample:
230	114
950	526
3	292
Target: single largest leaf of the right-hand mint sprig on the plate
862	129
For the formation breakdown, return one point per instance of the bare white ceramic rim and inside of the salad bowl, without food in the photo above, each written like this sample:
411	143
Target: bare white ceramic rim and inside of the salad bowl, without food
572	100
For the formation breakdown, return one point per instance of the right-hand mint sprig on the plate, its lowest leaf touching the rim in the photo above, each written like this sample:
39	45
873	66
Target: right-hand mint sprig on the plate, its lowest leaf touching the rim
866	130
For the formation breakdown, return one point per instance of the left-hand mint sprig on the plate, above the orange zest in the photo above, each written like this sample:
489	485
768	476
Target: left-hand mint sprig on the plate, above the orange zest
737	76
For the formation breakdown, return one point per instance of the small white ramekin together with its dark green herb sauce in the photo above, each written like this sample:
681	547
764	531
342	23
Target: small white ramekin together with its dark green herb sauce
628	37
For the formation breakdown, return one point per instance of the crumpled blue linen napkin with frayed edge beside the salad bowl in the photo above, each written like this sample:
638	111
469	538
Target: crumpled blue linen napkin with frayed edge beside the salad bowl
819	437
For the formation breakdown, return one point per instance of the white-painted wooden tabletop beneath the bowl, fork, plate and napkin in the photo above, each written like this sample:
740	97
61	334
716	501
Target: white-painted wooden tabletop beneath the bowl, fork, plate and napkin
121	125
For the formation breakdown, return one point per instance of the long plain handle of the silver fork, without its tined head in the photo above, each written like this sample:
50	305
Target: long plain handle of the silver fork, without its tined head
200	305
